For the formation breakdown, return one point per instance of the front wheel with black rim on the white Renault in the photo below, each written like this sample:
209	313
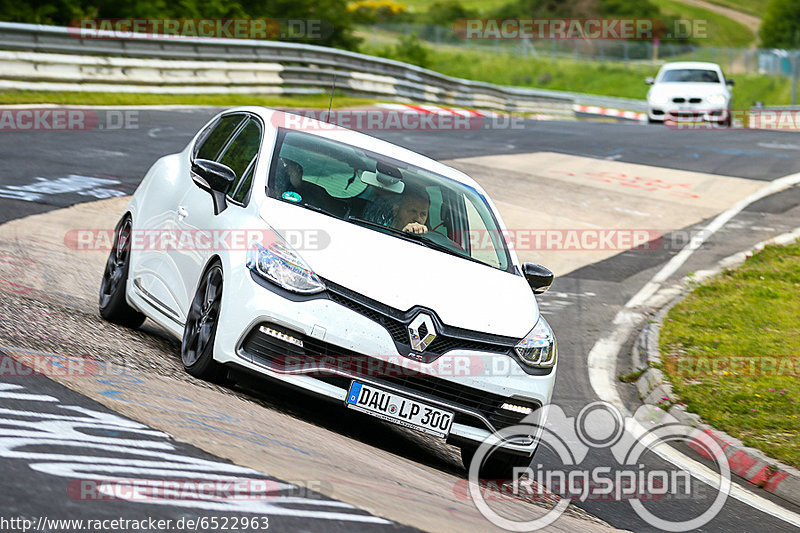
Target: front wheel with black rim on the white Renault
197	346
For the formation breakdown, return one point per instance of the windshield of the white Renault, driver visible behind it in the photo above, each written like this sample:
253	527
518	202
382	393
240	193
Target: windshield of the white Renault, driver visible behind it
383	194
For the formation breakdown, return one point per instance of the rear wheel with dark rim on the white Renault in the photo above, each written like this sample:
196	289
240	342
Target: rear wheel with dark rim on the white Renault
112	303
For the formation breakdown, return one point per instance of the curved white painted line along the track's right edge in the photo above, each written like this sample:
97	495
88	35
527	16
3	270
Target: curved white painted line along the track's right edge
602	358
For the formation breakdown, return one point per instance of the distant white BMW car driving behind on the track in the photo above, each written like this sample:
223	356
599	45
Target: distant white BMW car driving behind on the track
690	91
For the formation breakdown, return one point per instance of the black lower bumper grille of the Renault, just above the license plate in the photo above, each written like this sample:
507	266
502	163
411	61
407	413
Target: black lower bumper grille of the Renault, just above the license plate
319	359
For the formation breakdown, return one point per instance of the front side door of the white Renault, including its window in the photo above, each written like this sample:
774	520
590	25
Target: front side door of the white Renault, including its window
206	232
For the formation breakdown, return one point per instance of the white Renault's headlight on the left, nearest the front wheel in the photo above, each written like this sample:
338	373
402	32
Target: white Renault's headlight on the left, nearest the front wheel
280	264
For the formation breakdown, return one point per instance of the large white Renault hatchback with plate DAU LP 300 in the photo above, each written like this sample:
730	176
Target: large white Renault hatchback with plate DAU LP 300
345	266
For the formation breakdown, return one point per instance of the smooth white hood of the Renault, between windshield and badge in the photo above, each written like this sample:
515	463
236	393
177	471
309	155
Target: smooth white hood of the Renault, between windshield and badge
403	274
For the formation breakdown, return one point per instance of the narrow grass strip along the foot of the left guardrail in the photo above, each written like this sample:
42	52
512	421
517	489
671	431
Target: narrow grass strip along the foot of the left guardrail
217	100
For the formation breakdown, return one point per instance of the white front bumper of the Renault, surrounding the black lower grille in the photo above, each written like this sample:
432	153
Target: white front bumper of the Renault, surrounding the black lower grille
342	341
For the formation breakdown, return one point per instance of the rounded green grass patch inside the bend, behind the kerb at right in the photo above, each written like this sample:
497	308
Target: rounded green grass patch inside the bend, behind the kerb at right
732	351
